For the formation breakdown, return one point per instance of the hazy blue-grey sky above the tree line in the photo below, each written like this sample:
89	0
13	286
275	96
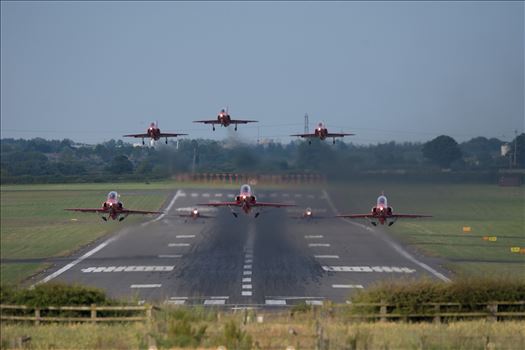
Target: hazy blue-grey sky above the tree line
405	71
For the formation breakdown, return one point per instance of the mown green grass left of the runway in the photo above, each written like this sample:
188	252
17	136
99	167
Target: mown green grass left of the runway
35	225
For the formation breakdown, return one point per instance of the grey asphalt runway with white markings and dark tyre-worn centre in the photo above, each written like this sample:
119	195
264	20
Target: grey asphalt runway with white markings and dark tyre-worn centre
273	260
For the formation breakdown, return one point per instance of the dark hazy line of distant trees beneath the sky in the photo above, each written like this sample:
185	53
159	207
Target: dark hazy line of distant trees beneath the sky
43	161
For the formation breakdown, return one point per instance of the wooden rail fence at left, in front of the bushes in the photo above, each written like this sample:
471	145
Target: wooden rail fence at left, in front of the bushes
82	313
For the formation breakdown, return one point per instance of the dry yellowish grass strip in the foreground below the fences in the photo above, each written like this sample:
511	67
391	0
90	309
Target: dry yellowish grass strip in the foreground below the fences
275	333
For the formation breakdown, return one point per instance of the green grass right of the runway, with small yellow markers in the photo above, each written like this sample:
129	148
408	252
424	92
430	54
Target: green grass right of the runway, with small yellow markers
489	210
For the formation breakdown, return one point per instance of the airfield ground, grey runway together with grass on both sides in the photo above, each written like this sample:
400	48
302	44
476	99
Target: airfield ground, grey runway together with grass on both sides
271	260
